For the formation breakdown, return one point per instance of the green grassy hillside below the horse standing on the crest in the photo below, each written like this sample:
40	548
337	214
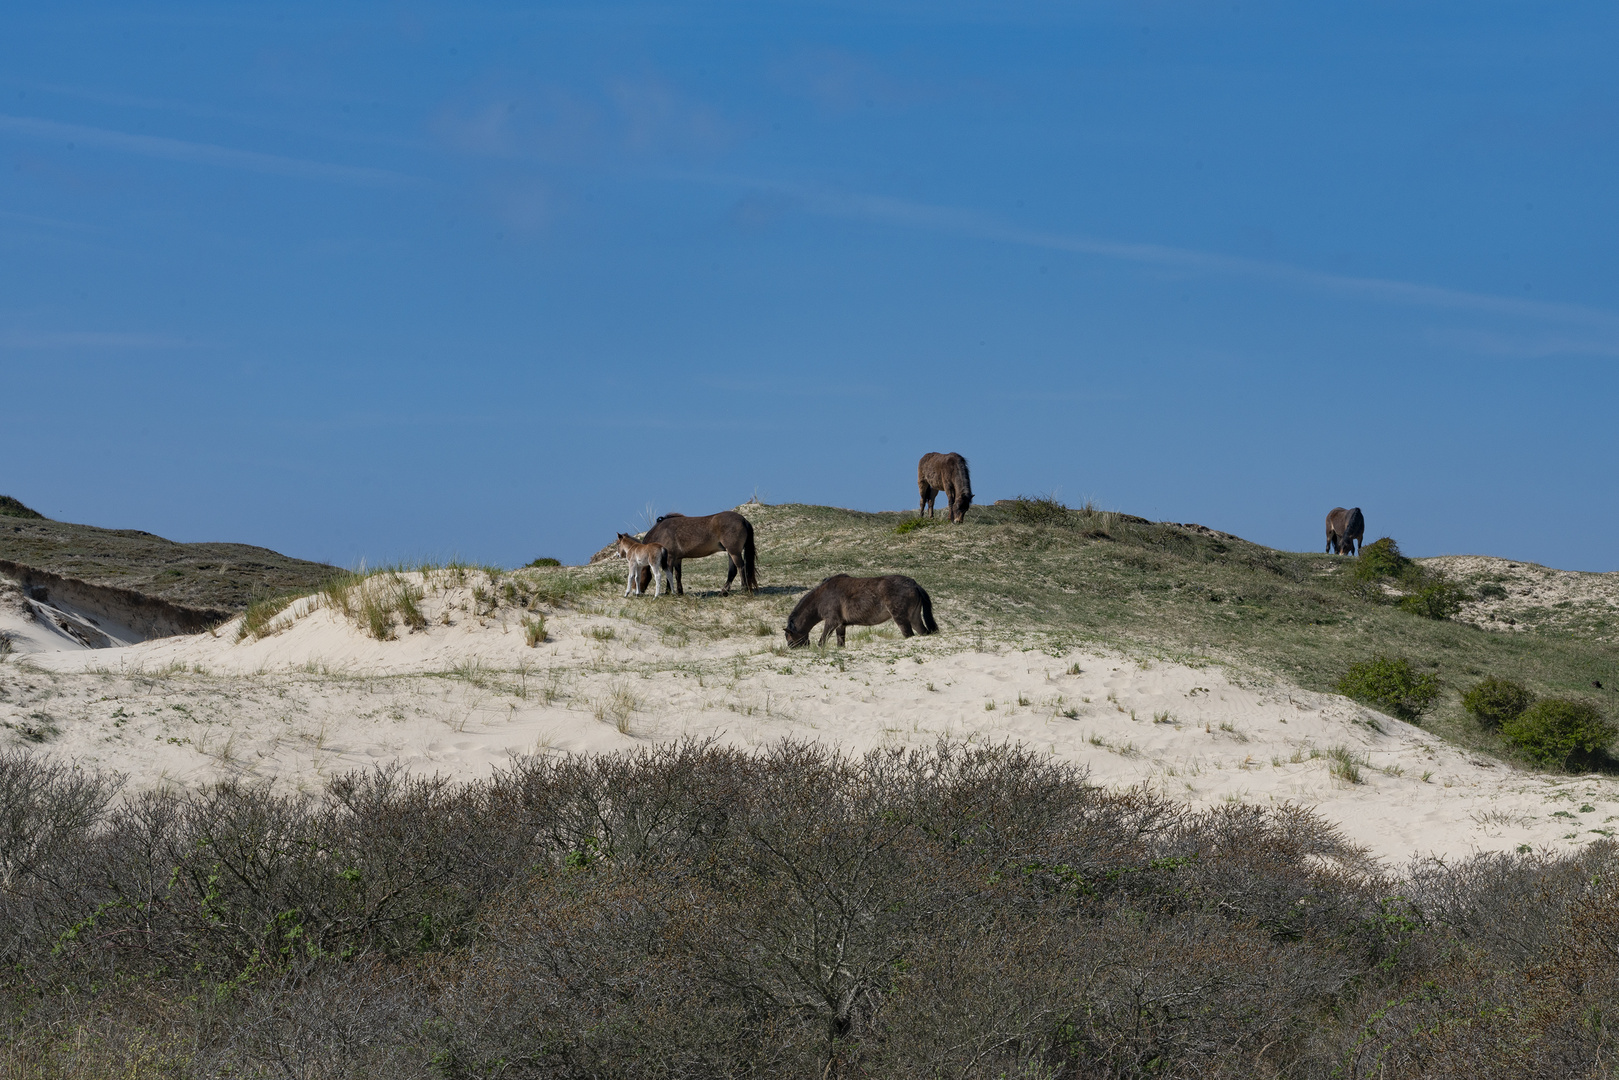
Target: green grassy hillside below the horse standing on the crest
1030	568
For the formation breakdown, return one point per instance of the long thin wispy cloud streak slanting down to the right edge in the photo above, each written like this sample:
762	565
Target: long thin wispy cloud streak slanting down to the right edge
977	226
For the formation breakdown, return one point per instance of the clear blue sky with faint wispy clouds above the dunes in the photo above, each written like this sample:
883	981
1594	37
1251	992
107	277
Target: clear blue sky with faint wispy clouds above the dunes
412	281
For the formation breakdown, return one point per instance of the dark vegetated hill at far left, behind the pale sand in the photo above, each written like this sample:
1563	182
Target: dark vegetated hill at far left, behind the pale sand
192	576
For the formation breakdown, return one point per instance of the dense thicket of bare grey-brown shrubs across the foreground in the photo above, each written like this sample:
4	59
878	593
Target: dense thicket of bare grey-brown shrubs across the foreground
703	912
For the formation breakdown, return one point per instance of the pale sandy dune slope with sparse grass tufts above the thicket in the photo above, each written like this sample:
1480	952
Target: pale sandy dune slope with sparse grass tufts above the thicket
461	695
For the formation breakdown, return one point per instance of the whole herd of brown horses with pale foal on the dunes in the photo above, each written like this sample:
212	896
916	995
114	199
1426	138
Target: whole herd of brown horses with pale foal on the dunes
843	602
